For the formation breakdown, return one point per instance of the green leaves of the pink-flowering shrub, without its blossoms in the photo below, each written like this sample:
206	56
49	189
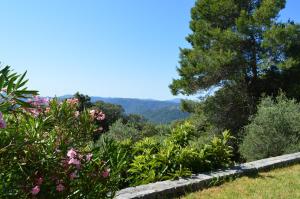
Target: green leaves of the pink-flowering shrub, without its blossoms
36	148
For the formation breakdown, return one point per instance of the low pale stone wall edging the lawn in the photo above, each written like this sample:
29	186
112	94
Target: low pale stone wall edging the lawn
169	189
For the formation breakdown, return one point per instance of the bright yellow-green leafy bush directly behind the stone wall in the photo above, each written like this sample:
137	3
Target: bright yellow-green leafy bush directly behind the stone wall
174	157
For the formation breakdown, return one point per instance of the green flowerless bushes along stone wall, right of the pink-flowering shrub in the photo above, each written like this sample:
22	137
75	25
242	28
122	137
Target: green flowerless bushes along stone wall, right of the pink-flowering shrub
152	159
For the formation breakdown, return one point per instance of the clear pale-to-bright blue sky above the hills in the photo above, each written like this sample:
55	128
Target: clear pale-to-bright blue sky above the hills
116	48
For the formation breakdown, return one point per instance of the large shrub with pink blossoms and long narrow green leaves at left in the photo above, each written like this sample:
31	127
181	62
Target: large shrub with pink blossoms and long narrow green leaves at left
46	147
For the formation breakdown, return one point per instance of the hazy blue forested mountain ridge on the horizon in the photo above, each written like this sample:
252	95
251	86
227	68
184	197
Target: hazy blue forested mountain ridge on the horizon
154	110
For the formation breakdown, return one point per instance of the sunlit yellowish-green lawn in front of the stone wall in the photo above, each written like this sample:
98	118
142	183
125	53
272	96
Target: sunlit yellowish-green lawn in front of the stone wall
279	183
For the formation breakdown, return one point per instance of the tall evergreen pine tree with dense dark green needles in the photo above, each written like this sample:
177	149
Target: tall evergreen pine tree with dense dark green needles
238	42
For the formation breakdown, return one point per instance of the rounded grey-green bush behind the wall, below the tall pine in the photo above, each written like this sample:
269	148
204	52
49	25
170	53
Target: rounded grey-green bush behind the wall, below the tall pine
274	130
